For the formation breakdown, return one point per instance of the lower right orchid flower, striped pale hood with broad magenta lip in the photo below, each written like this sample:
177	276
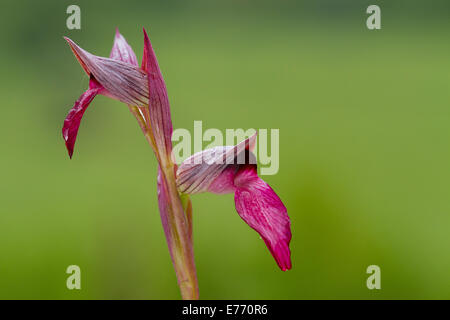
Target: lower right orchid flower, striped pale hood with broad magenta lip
224	170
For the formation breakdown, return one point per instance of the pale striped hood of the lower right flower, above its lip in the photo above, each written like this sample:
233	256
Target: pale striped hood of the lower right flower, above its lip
204	169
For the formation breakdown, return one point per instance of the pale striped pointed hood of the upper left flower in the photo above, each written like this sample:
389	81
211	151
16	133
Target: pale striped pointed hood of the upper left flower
122	81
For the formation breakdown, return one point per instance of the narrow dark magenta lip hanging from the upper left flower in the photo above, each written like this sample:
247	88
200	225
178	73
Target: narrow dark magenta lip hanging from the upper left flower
73	119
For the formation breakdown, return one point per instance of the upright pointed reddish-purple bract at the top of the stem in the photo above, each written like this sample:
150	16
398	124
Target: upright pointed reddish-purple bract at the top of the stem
159	107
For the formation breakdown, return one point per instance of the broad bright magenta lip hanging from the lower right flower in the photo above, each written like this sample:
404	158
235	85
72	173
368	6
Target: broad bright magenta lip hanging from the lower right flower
260	207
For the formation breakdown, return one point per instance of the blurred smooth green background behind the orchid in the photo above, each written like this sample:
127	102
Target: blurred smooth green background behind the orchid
364	148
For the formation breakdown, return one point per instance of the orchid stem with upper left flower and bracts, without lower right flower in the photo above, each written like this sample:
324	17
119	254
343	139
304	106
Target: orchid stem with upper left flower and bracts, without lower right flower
144	91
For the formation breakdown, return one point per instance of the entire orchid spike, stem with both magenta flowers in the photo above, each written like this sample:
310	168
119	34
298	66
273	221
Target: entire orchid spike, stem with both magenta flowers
144	91
